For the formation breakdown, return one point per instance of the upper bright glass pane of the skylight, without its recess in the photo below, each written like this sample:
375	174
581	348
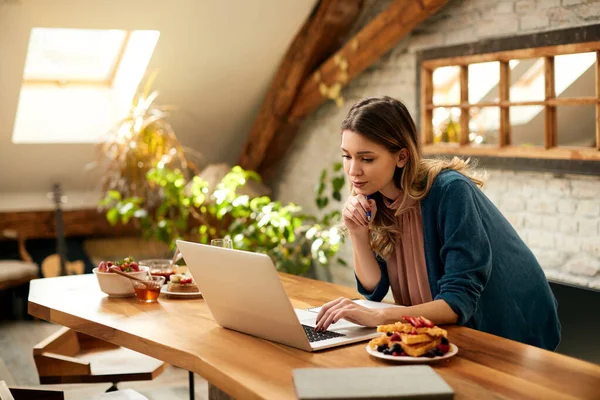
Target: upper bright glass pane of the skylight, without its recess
74	55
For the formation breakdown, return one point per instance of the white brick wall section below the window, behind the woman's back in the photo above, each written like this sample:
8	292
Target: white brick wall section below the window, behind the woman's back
559	223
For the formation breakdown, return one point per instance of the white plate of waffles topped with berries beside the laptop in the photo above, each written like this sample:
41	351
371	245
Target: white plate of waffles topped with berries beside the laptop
417	341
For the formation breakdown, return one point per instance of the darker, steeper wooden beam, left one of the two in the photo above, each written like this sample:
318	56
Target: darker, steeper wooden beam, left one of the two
321	35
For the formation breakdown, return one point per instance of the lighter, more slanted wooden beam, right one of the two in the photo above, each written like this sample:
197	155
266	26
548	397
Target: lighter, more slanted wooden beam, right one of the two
360	52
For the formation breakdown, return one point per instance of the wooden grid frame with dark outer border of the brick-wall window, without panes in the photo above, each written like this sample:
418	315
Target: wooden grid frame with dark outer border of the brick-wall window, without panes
544	45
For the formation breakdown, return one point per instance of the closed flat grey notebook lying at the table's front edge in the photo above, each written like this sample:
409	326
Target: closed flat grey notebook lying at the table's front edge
397	382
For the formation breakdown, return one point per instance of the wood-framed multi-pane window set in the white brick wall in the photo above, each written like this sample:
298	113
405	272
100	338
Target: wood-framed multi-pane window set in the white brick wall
539	102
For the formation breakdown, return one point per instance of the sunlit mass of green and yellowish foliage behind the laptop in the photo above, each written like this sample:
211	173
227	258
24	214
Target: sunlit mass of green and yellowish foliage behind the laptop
149	181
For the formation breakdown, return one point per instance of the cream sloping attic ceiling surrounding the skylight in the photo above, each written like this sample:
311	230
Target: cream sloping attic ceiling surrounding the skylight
216	60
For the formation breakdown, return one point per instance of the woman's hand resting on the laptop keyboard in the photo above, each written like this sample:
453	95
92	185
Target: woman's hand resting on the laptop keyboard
345	308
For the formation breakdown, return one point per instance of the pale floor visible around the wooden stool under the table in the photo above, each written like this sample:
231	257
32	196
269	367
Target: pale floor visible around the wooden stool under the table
17	368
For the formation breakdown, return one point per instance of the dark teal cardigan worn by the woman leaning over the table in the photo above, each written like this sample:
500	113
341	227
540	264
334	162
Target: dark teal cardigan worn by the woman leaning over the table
479	265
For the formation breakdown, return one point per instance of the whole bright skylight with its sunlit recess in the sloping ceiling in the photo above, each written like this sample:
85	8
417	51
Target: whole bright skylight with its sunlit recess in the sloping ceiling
78	83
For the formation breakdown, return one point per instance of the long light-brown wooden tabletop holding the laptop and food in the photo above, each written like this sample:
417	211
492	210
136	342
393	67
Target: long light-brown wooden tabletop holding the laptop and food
183	333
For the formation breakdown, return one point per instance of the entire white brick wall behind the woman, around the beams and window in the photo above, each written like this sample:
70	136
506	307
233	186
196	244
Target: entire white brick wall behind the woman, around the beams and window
558	216
